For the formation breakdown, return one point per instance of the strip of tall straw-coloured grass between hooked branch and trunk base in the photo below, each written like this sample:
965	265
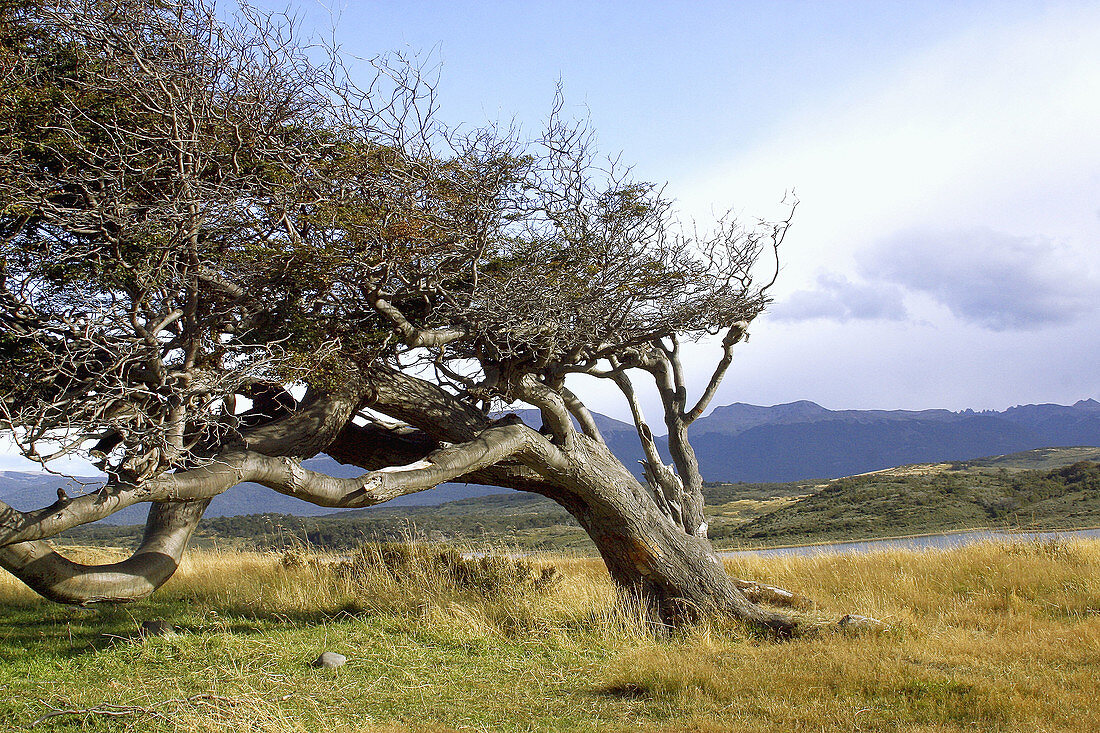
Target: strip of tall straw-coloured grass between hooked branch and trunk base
420	584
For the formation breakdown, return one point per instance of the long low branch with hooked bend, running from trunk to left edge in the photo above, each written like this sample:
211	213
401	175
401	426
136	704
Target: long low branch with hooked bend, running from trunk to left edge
171	523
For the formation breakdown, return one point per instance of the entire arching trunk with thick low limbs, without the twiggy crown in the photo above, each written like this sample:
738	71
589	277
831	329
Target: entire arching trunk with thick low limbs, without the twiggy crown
652	557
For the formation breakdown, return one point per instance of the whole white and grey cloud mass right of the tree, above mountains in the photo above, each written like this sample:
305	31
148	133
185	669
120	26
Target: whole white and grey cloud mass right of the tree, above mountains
994	130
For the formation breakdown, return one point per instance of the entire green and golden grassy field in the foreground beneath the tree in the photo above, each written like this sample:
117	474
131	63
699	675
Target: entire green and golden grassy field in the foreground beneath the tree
989	638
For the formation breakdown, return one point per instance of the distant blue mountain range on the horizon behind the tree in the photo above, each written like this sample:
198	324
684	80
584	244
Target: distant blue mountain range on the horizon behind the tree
735	443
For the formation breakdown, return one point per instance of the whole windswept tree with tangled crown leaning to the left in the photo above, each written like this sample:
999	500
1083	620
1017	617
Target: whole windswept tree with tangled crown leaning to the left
222	256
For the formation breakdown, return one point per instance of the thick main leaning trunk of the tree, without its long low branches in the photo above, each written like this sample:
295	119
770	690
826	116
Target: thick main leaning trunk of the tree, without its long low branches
651	557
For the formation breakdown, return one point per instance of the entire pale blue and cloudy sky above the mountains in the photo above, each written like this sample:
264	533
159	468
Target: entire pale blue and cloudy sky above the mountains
947	158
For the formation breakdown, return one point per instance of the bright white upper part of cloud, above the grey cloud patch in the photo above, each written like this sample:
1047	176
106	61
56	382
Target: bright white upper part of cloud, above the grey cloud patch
996	127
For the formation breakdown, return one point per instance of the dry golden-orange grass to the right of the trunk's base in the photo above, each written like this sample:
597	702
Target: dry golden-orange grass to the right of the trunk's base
989	637
